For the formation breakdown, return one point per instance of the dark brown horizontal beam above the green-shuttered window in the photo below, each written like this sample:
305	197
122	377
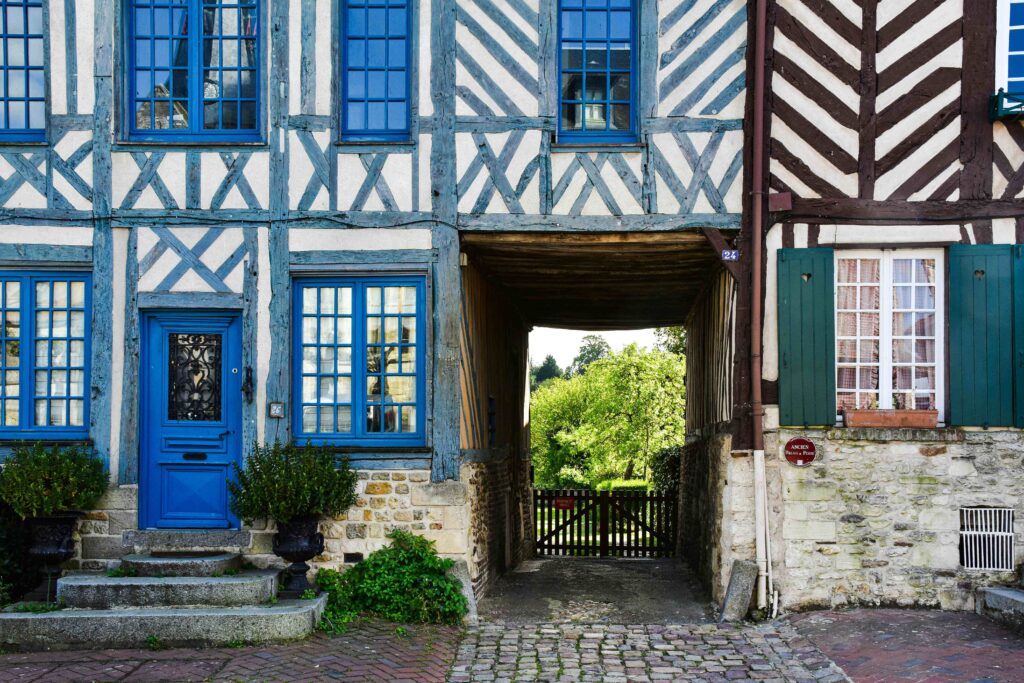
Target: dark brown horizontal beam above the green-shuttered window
873	211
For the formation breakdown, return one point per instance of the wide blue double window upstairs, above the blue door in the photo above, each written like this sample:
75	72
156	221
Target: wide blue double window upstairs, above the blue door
194	70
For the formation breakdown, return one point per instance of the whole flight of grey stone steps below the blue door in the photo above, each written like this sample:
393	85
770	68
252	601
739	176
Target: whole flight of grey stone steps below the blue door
172	599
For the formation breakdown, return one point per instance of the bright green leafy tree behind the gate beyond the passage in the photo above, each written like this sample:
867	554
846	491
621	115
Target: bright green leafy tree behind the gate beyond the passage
611	421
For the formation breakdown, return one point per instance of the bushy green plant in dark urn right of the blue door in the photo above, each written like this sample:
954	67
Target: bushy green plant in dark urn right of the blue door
295	486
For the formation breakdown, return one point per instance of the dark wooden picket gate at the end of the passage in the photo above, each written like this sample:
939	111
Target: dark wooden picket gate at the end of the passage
590	524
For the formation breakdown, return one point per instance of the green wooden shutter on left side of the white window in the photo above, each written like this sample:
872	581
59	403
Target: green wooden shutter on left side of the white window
806	337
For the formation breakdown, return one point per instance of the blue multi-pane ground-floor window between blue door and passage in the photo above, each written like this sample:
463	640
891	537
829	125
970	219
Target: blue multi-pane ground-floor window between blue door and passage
359	367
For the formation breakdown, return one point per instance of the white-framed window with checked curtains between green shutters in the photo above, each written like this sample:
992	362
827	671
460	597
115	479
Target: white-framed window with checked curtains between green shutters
890	330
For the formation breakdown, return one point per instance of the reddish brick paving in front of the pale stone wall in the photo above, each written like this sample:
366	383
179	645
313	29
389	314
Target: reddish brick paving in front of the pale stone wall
916	646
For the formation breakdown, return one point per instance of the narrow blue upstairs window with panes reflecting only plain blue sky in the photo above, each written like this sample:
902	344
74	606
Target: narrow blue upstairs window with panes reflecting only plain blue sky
376	68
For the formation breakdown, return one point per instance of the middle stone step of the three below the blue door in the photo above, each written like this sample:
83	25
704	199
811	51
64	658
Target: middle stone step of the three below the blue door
103	592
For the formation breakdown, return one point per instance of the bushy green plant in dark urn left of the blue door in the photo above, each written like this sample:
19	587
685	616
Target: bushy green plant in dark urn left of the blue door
52	488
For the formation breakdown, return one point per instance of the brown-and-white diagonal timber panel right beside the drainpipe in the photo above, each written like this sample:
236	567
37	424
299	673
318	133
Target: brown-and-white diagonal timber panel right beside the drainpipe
816	103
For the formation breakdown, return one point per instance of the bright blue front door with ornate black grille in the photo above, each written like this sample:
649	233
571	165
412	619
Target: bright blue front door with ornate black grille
191	418
